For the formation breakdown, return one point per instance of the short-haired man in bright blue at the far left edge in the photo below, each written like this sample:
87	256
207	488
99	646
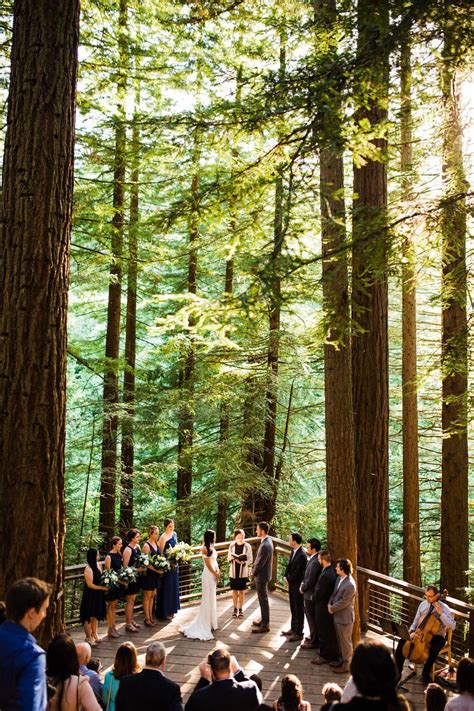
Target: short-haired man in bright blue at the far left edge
22	661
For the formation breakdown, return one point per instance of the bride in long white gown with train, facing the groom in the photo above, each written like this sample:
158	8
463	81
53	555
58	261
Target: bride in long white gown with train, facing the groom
206	621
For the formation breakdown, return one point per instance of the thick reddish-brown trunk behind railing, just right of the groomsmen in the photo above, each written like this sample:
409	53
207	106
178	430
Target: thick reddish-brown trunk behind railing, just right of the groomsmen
370	300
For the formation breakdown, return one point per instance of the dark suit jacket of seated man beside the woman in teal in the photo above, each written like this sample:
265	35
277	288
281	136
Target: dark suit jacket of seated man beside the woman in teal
147	691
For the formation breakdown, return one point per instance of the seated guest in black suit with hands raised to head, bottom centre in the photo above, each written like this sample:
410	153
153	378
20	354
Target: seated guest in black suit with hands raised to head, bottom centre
223	685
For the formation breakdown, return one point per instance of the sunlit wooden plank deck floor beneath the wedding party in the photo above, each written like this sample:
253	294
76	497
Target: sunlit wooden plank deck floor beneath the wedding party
269	655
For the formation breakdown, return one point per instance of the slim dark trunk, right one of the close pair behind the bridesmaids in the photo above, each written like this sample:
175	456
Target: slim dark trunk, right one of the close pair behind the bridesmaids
128	425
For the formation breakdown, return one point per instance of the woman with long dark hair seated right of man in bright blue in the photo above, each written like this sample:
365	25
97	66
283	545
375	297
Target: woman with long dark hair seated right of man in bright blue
73	691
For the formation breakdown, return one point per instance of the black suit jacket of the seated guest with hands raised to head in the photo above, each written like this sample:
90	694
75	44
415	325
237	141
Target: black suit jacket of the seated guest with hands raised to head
233	694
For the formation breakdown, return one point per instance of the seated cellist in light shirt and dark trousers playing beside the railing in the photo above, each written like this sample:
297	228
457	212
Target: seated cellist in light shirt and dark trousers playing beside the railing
431	605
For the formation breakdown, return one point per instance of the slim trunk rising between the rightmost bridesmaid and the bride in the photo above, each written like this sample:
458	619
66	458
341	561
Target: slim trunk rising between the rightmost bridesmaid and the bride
186	383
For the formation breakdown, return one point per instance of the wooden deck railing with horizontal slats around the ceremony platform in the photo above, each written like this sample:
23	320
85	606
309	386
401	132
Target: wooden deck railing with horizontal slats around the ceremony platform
379	595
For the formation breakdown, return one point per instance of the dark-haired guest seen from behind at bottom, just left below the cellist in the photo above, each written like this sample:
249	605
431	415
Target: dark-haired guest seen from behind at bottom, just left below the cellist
375	677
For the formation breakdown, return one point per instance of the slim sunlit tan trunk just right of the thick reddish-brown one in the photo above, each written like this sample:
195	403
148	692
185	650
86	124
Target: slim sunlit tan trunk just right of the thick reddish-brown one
411	489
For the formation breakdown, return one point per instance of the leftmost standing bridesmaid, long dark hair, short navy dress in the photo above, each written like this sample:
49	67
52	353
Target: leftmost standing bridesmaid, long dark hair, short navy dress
93	598
